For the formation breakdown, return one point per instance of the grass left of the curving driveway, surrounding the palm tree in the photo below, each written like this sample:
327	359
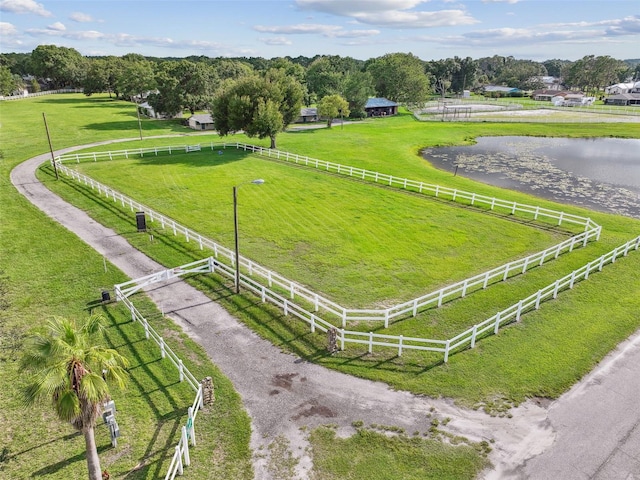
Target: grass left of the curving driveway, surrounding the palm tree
44	271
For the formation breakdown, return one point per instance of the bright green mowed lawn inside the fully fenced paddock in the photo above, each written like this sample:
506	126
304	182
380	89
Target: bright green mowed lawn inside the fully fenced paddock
354	242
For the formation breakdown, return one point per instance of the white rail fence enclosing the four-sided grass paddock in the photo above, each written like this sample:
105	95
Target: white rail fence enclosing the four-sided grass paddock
295	290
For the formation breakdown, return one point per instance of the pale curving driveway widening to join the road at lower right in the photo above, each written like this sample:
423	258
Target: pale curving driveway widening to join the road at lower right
591	432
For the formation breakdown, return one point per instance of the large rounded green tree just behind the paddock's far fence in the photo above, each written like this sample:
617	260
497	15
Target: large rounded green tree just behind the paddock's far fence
260	105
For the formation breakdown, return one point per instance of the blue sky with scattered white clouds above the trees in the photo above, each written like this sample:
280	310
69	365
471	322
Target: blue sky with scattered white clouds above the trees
430	29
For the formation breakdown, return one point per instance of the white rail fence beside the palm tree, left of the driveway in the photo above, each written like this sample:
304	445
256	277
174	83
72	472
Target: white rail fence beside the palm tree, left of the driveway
181	457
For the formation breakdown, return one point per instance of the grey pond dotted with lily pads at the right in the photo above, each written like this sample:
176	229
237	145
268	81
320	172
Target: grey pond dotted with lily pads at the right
598	173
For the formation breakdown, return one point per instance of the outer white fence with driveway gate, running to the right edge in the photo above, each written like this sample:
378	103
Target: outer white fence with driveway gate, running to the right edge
467	338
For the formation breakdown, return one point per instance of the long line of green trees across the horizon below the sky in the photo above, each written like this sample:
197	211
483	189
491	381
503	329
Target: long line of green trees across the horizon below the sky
262	96
